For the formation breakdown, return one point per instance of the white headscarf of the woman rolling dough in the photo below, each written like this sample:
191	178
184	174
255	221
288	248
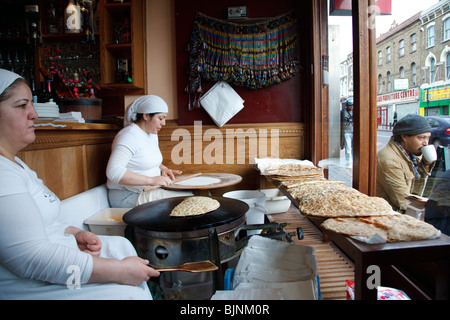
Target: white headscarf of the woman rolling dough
145	104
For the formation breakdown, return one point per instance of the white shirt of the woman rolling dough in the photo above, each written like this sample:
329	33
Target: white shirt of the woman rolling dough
133	150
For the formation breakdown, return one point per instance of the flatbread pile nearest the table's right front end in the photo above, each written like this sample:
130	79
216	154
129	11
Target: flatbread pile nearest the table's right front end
394	227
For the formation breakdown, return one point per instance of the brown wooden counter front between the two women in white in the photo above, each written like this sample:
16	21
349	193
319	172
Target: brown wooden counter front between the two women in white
70	157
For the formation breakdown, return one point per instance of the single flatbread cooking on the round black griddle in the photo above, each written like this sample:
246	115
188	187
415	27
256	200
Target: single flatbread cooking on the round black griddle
194	206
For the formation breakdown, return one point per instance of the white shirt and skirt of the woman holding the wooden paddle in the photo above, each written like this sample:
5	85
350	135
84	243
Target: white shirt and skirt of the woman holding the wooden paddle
35	254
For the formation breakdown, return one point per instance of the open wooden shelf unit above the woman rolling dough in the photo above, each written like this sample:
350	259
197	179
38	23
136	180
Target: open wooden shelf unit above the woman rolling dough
121	46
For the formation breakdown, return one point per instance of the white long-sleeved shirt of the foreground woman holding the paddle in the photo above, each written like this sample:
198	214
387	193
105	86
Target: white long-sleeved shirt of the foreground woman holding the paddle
33	245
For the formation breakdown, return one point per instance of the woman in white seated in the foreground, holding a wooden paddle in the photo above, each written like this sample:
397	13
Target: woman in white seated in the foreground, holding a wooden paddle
42	257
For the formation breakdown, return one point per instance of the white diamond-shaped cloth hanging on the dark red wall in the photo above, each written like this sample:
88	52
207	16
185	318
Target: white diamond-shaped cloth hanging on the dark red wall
222	103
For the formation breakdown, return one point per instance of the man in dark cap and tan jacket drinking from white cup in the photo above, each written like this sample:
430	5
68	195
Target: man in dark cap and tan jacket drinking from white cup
400	166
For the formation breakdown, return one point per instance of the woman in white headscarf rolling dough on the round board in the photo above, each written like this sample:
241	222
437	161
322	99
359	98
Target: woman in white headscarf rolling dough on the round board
135	163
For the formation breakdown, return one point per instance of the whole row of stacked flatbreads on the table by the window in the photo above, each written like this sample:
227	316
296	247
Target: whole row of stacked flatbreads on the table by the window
348	211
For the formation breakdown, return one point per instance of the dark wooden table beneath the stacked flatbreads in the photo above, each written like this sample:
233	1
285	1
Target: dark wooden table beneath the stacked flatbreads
401	264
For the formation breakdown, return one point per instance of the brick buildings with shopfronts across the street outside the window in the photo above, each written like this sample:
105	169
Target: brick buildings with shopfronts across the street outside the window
413	62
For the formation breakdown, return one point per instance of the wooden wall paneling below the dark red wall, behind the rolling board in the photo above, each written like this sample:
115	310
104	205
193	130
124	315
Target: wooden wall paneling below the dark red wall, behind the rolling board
234	155
